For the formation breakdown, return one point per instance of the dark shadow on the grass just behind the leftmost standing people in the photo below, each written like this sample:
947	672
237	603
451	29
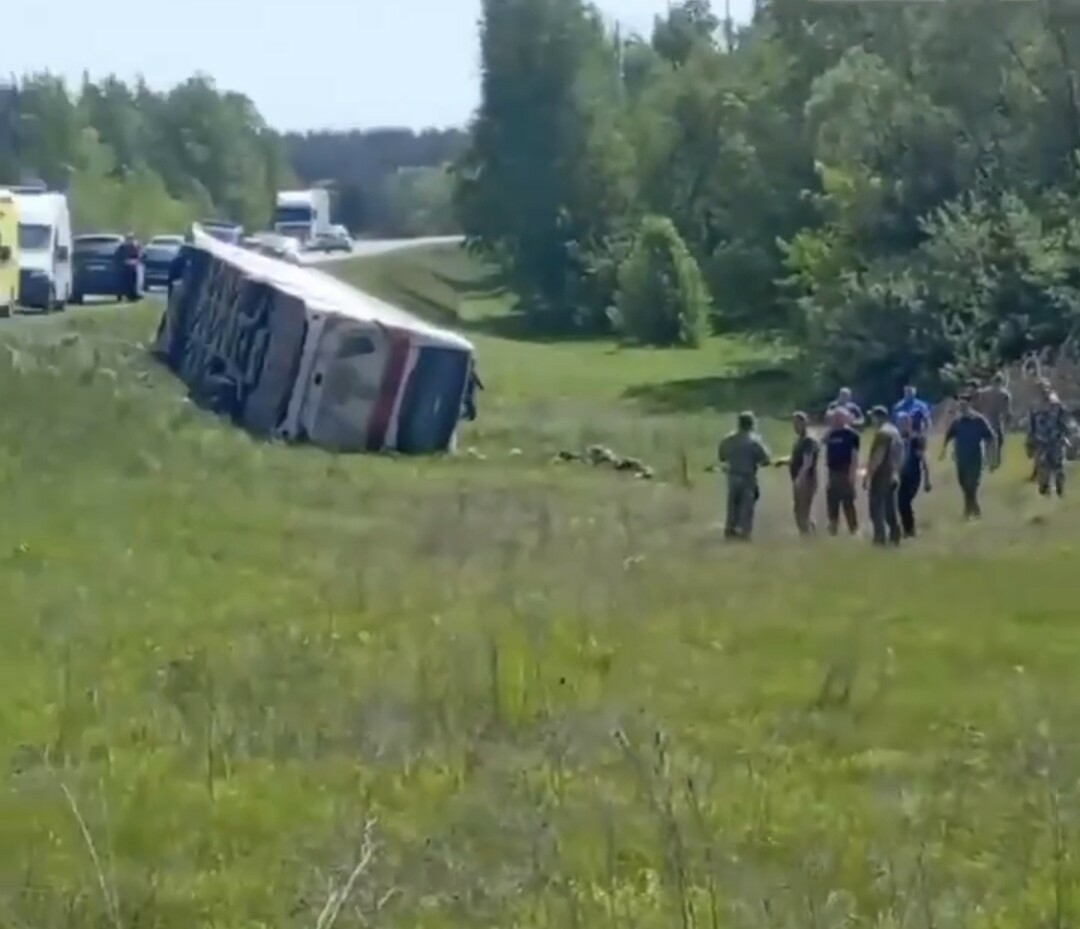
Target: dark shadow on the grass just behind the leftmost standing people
767	391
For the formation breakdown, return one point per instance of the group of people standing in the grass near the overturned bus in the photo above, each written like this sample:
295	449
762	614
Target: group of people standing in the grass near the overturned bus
896	469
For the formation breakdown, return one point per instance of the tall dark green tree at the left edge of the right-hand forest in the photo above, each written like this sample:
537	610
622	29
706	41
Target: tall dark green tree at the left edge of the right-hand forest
548	181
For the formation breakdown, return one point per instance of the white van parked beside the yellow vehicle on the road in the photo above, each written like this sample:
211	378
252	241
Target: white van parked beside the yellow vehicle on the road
45	246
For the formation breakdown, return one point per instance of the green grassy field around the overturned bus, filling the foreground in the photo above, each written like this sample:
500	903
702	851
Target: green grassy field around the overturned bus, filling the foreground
496	692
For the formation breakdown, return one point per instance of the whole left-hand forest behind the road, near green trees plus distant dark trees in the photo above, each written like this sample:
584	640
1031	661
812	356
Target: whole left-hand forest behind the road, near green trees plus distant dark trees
137	159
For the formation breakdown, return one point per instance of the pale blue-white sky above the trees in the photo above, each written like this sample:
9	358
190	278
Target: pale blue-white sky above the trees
307	64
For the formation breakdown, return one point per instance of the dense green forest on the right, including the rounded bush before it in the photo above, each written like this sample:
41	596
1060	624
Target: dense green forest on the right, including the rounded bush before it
893	186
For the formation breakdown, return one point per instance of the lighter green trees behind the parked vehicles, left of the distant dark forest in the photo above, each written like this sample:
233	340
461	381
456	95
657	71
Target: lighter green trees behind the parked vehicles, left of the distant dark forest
136	159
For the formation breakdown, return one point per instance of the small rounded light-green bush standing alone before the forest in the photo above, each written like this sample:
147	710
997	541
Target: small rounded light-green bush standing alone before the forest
663	297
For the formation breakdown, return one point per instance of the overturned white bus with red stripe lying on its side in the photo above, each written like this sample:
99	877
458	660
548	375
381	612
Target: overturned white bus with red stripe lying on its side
293	354
